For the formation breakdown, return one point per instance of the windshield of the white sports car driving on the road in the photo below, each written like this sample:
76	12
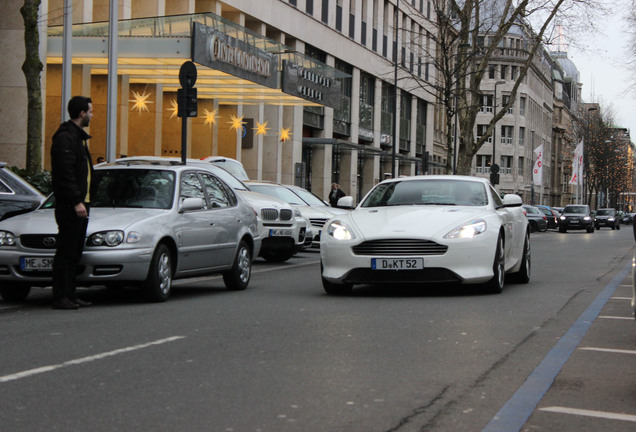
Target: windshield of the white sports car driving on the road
427	192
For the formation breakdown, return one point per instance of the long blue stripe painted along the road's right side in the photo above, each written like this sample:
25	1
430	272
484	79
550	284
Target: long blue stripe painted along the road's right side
514	414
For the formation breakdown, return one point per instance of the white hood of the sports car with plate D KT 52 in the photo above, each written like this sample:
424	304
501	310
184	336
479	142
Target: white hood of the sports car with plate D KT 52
412	221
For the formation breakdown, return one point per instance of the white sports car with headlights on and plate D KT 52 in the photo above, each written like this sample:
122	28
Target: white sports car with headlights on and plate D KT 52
427	229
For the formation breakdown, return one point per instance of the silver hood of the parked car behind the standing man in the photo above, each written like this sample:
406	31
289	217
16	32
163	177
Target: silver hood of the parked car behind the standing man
43	221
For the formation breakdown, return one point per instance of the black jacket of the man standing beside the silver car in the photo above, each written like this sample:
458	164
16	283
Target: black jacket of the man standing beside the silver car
70	162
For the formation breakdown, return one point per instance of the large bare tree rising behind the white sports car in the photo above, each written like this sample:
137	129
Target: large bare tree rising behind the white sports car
468	35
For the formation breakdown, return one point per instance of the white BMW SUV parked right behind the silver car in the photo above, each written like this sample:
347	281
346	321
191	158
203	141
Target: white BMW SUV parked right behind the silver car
282	228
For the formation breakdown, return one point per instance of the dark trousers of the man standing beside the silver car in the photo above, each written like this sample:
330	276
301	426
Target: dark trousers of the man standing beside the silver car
70	243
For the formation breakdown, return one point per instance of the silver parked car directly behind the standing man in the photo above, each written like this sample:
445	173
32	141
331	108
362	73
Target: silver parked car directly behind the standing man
148	225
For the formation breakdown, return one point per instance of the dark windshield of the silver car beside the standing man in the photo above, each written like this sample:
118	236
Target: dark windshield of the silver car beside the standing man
133	188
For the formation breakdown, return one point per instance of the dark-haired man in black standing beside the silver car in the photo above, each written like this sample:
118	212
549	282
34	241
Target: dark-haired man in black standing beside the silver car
71	169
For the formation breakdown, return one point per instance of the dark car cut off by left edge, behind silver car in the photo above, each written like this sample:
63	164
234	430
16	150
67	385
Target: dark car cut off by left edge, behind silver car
17	196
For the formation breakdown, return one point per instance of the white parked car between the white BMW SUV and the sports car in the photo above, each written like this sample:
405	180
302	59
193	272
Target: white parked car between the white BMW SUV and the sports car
312	207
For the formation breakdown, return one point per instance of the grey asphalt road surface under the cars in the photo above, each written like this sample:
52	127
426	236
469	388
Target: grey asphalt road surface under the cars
283	356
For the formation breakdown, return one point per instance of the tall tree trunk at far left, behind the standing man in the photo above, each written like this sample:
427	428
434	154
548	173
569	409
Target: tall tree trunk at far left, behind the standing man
32	68
